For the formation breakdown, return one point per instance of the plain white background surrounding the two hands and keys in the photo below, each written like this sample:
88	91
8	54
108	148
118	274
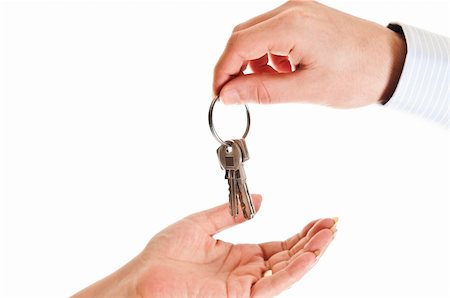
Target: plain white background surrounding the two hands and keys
105	141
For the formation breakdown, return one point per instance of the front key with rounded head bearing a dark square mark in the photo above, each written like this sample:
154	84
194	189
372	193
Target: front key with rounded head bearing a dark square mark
230	157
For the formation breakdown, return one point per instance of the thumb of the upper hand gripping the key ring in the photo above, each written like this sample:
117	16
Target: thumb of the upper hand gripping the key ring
266	88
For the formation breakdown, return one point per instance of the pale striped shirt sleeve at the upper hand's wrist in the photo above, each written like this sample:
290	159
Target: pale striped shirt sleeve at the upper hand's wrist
424	85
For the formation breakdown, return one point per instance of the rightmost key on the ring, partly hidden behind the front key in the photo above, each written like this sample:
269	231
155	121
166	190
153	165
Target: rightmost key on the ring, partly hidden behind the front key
243	194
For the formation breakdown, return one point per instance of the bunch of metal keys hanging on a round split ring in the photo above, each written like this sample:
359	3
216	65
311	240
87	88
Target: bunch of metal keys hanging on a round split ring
232	154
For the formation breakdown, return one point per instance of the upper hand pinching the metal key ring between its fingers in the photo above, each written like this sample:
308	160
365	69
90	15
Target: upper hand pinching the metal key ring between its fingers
304	51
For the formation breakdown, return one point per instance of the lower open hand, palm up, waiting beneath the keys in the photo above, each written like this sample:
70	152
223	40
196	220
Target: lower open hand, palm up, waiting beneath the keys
184	260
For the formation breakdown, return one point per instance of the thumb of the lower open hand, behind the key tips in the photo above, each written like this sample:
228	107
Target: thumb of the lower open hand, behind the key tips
218	218
